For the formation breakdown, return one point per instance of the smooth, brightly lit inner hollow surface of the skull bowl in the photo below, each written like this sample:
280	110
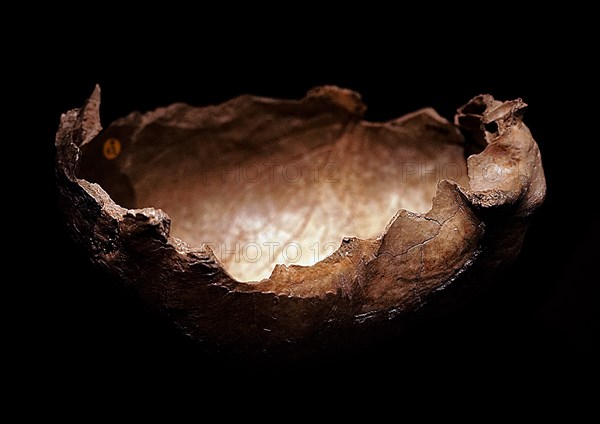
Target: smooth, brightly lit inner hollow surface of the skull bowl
265	182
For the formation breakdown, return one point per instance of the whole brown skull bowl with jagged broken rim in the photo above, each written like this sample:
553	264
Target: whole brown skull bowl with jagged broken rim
291	228
